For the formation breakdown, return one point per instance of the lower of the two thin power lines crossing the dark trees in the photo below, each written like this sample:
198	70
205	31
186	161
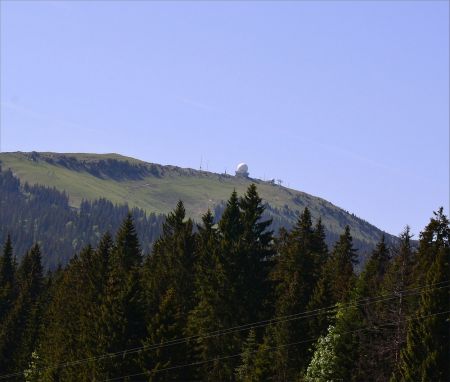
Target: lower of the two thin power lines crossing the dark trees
269	348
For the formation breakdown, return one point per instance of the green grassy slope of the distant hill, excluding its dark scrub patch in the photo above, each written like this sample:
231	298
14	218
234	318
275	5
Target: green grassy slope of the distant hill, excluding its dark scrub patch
198	190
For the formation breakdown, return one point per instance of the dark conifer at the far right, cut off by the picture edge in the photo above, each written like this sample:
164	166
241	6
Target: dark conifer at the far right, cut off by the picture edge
425	356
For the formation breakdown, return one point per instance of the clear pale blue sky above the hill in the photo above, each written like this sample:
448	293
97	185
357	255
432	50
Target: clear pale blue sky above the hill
344	100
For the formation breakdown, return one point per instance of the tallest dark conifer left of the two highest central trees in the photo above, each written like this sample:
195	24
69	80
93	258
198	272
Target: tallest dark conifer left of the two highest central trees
169	283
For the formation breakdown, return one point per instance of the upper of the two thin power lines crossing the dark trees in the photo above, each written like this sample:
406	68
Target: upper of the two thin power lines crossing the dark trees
257	324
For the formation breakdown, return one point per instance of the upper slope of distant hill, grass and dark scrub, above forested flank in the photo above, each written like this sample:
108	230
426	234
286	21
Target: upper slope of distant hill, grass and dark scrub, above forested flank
156	189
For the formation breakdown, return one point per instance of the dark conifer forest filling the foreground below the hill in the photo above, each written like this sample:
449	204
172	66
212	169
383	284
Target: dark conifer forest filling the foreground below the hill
229	301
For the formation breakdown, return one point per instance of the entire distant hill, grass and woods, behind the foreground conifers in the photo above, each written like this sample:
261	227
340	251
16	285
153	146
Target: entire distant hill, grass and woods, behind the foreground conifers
107	184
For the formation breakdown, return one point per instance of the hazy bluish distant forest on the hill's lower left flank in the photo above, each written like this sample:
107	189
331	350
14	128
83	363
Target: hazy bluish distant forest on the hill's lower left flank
39	214
